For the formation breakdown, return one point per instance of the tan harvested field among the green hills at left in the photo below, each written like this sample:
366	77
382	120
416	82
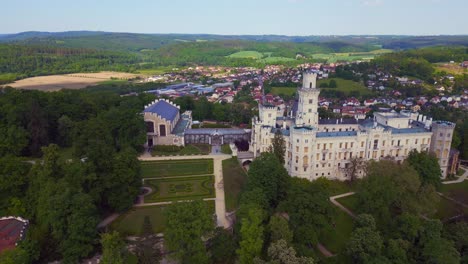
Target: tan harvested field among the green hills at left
69	81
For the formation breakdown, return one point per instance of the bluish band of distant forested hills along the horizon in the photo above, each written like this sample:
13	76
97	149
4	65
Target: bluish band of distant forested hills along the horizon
137	42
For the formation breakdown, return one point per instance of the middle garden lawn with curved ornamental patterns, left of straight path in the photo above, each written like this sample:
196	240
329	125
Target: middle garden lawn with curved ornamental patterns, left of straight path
180	188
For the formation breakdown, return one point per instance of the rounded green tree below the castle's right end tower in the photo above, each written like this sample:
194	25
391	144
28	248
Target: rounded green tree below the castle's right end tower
427	166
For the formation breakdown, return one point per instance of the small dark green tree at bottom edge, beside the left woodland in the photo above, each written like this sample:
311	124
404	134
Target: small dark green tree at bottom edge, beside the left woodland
113	248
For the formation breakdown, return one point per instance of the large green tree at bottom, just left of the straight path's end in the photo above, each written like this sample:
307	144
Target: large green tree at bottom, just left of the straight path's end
186	224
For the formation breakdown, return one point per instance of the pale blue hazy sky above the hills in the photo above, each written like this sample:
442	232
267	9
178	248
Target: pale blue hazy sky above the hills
246	17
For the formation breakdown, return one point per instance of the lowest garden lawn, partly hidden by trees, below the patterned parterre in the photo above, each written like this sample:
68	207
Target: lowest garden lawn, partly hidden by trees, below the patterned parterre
131	222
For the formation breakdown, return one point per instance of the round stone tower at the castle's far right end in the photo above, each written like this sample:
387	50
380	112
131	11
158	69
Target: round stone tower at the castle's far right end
442	133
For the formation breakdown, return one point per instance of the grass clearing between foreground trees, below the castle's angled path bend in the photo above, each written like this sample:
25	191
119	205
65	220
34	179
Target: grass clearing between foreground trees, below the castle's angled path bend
335	238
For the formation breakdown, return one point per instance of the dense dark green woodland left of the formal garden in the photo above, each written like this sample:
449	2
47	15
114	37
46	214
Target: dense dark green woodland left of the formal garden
65	196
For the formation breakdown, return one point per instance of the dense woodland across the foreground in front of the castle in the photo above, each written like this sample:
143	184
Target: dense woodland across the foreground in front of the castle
281	219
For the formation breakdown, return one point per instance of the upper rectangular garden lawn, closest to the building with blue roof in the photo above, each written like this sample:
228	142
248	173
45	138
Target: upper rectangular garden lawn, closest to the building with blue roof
156	169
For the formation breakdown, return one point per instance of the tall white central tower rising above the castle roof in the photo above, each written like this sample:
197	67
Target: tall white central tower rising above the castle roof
307	113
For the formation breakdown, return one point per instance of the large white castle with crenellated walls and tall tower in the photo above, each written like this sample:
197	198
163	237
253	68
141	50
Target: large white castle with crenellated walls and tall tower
326	147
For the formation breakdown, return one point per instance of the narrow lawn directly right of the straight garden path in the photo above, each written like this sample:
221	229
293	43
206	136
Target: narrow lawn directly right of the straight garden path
234	178
